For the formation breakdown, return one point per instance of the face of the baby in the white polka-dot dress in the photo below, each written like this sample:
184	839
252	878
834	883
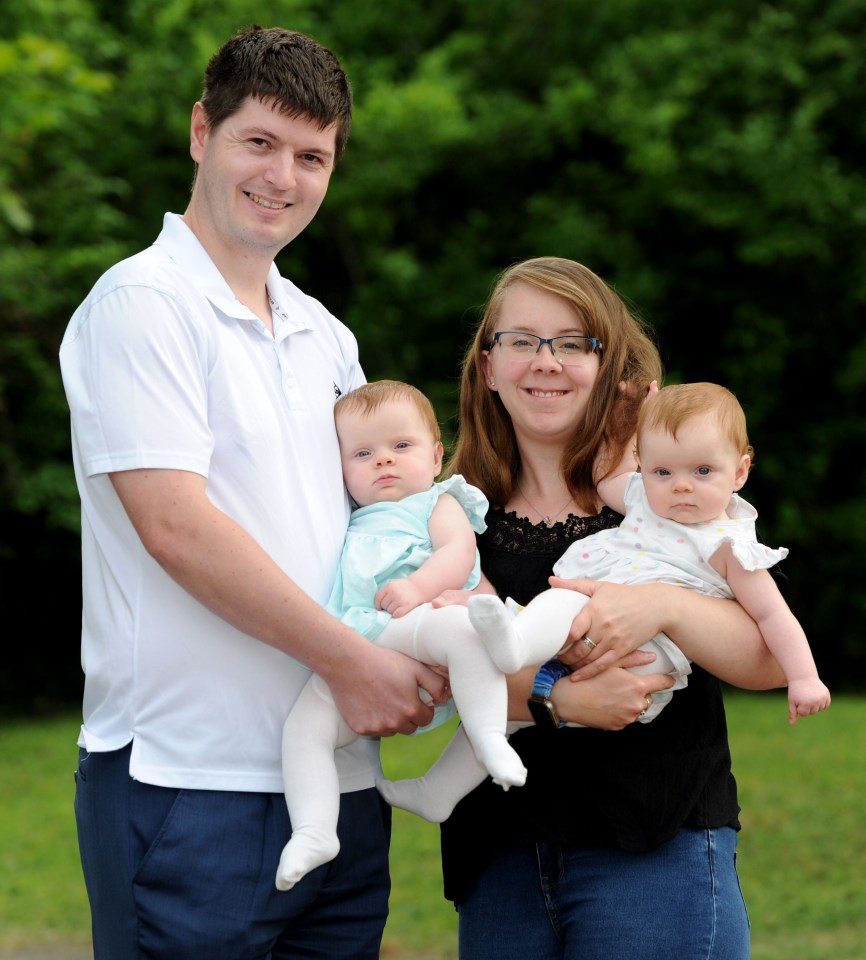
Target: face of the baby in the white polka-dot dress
690	479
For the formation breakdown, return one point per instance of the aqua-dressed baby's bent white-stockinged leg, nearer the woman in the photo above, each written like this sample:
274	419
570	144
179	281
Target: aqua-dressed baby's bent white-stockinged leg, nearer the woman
445	636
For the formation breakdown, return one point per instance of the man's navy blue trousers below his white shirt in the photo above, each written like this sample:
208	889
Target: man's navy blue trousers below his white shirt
187	874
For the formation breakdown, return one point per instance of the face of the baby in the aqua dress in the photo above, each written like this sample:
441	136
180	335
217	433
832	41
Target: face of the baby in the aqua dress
388	453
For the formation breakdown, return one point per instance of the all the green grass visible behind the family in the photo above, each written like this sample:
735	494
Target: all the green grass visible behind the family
802	854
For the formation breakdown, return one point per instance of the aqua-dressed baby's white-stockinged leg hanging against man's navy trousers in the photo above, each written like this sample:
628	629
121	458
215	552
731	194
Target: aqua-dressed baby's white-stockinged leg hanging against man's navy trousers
312	732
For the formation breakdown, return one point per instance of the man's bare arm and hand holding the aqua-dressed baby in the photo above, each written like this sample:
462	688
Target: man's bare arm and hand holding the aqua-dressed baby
224	568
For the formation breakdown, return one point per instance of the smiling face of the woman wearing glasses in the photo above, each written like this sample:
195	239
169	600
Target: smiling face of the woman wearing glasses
545	399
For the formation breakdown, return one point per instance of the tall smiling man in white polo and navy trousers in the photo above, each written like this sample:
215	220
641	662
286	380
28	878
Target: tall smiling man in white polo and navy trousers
201	386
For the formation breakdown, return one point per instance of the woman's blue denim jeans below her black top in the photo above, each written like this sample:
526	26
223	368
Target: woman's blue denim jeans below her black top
551	902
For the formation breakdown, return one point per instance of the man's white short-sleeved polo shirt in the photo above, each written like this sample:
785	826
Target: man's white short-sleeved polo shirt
164	368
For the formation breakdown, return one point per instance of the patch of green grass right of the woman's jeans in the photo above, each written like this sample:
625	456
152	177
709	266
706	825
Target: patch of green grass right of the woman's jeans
802	852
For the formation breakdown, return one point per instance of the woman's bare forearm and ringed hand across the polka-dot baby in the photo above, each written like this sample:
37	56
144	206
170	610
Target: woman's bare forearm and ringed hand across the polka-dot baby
716	634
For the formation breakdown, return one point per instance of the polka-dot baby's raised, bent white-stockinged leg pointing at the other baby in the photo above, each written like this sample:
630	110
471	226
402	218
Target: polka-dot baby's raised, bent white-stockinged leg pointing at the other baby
537	633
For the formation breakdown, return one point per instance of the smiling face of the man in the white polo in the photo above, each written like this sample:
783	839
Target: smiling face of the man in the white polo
261	178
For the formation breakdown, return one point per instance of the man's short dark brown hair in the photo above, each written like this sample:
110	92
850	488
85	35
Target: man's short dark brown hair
300	76
